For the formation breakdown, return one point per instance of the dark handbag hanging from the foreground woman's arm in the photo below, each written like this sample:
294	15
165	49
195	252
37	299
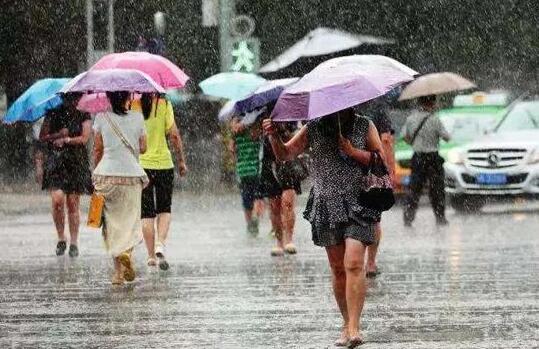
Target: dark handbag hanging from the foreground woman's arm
378	191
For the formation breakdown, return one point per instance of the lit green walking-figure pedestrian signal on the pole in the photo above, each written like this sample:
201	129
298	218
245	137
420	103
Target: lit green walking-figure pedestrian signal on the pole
245	55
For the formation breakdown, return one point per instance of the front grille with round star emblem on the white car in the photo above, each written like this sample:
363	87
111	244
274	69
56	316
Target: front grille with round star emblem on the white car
495	158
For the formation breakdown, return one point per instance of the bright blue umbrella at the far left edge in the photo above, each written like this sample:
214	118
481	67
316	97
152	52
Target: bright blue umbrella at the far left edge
35	101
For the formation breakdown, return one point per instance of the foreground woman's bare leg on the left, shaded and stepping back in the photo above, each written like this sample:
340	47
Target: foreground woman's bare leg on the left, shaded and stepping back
338	279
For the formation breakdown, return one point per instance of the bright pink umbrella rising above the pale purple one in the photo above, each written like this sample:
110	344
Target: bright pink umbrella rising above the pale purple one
163	71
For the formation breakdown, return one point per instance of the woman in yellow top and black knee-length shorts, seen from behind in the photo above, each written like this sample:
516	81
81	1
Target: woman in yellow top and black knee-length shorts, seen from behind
157	163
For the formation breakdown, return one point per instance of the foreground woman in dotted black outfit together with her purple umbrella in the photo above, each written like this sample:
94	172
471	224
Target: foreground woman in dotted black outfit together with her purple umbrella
342	147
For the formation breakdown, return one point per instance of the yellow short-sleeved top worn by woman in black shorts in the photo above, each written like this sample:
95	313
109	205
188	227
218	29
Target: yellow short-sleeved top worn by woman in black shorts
161	119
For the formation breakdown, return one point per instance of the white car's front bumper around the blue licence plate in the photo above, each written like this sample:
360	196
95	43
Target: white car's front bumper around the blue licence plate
521	181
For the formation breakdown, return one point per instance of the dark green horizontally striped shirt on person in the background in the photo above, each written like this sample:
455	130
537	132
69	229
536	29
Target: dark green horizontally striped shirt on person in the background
247	156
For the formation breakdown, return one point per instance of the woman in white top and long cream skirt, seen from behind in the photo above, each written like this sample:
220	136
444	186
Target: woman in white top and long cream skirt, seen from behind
119	139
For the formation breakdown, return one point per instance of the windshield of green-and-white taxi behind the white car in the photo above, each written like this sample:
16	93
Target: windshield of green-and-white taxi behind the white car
465	127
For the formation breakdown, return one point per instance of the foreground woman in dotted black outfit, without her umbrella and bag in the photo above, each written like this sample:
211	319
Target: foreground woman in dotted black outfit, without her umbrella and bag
339	143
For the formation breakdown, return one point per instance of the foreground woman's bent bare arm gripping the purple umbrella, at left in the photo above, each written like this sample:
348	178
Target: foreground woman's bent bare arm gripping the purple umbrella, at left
292	148
